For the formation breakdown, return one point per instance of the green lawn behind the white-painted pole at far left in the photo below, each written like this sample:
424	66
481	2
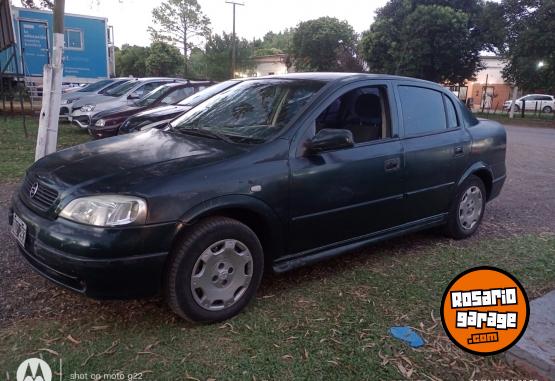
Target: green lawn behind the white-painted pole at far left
21	150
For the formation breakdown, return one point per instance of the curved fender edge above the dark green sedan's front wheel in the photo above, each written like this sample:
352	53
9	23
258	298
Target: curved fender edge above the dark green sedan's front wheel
252	212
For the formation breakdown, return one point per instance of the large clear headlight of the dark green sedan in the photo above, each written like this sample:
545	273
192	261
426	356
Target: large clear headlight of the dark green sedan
106	210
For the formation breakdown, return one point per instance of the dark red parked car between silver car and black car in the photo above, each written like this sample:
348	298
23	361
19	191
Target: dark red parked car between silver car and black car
106	123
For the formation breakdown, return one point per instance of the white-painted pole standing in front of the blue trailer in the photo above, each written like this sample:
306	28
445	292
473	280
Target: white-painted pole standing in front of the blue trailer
47	136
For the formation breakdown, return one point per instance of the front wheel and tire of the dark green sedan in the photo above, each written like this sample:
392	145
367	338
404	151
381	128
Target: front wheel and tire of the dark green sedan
214	270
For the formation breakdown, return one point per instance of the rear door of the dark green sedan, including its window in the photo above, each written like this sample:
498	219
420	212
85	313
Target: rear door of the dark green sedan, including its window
436	148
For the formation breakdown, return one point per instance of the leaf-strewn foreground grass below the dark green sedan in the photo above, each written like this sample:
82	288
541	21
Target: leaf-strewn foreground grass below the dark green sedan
328	321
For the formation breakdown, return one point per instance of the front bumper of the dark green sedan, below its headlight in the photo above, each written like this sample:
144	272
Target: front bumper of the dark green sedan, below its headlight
103	263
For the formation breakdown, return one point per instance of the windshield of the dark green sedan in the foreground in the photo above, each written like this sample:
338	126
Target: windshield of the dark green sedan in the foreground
252	111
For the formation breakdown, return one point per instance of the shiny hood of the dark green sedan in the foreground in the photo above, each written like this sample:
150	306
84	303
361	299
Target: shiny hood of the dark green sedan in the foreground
120	163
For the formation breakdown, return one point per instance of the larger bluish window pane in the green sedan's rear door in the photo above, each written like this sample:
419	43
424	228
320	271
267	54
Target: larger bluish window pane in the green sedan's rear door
423	110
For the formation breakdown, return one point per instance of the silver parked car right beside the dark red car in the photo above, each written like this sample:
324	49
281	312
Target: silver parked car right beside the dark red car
84	109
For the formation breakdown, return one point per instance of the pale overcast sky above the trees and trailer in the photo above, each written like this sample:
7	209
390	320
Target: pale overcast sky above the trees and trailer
131	18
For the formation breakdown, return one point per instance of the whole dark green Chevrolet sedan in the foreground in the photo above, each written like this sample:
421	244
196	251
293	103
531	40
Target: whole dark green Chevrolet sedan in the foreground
276	172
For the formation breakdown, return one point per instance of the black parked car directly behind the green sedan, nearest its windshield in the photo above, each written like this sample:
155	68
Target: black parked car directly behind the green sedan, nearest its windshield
158	117
